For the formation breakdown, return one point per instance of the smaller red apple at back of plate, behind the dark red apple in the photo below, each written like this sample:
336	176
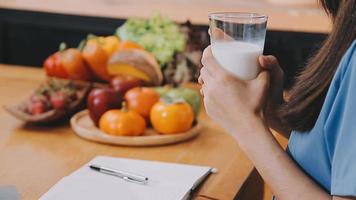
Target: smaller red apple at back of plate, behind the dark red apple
123	83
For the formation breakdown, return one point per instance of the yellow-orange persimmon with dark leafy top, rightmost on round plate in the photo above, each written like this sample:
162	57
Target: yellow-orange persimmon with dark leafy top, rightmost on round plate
172	118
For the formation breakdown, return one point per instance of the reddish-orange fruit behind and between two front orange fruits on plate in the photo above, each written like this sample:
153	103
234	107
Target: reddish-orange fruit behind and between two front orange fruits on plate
141	100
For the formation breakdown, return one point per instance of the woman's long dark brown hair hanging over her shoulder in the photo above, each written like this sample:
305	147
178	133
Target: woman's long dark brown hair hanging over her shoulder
306	97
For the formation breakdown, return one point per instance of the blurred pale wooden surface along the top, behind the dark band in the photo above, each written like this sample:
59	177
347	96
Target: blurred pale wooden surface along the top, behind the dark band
309	18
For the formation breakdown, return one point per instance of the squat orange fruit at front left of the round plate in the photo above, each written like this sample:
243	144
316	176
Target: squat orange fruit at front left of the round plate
122	123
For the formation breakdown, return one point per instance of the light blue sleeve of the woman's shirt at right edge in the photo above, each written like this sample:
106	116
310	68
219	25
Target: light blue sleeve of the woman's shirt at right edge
340	130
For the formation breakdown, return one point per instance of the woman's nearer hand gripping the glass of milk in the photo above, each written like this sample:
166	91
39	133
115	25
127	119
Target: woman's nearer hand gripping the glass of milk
229	101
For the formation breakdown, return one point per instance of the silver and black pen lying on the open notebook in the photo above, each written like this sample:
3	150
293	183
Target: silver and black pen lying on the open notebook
127	176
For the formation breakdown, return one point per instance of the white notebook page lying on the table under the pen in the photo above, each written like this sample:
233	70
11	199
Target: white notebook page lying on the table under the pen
167	181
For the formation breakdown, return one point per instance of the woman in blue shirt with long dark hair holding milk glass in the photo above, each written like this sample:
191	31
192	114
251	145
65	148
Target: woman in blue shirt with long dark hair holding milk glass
319	115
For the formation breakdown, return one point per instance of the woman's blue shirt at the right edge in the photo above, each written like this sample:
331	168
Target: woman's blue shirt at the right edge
327	153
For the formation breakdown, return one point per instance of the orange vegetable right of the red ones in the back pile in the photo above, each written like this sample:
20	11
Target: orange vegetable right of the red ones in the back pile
97	58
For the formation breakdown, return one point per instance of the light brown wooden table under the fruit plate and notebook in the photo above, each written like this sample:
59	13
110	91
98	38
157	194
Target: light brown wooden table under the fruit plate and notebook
34	158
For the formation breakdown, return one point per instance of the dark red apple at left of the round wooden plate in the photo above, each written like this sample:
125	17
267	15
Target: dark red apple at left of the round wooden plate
102	100
